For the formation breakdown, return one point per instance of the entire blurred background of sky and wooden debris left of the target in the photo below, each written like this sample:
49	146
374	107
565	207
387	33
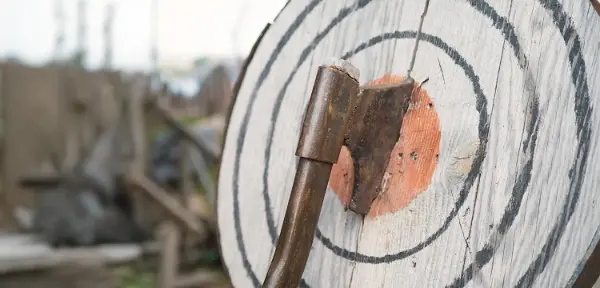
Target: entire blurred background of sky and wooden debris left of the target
112	116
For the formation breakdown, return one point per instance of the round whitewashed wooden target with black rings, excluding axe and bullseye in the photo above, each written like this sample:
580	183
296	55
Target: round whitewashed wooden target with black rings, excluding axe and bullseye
512	198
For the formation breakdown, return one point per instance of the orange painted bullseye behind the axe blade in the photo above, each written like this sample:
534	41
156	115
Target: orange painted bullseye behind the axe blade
412	161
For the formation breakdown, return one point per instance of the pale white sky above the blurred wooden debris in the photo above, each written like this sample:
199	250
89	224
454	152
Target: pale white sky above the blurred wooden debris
186	30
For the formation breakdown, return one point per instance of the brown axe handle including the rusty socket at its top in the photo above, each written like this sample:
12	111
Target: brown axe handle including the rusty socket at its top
332	100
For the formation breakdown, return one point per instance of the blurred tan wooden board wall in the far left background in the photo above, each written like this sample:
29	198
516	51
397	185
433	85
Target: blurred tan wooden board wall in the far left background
41	123
